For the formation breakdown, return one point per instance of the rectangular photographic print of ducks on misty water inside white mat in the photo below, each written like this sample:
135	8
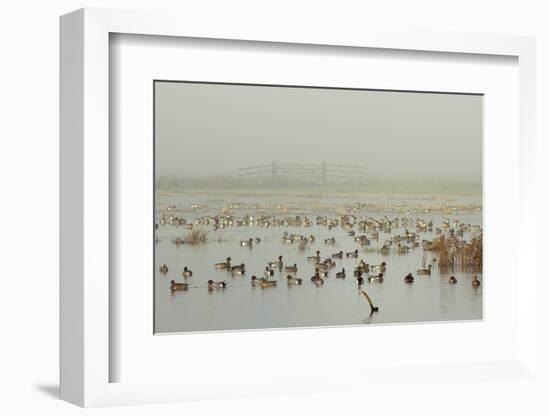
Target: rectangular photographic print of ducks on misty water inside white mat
290	207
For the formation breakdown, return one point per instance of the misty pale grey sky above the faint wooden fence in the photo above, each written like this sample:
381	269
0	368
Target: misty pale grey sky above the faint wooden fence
212	129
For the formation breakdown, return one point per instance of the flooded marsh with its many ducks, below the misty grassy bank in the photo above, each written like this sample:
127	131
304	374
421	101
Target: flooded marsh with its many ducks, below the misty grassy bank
196	229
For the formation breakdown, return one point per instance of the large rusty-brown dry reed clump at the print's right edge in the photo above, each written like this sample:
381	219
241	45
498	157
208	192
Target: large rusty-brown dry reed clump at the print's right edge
453	253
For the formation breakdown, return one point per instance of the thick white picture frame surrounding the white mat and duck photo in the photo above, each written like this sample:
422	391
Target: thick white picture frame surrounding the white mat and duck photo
85	180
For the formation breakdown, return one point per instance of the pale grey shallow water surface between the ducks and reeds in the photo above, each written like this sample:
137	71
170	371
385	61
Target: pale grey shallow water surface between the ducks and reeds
338	301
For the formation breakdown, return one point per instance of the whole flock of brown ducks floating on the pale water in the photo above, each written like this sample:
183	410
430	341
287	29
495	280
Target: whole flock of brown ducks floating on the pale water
363	230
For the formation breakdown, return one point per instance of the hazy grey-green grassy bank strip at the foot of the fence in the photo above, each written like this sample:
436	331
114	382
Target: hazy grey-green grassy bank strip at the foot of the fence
369	186
